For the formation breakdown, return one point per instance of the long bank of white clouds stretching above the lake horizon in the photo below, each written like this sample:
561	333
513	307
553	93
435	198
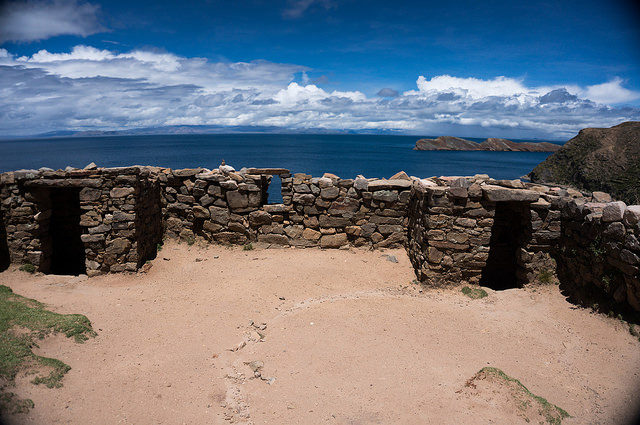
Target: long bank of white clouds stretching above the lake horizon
95	89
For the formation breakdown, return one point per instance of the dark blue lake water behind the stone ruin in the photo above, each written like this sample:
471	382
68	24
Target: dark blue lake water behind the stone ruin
343	155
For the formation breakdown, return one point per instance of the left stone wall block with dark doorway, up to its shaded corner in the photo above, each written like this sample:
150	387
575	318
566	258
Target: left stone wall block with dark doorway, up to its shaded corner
106	202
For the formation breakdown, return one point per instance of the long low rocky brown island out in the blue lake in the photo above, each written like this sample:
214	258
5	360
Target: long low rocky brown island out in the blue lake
449	143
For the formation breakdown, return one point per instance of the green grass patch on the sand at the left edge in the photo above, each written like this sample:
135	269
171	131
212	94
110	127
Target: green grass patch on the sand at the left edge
23	322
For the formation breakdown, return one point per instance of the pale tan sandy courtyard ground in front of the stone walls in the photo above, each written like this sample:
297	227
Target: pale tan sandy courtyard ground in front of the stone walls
337	337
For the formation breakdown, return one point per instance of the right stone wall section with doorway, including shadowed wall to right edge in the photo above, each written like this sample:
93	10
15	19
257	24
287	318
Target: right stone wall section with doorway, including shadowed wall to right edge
459	228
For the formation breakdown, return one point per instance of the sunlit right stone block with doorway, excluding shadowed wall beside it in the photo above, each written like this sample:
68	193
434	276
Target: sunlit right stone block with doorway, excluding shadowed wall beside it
472	229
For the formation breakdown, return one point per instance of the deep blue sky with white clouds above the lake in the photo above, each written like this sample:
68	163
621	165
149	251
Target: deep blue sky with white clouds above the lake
499	68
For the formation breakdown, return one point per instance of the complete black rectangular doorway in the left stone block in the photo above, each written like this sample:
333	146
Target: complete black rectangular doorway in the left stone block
67	249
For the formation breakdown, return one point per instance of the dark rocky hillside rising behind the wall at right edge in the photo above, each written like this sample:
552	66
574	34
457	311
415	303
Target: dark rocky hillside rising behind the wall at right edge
602	159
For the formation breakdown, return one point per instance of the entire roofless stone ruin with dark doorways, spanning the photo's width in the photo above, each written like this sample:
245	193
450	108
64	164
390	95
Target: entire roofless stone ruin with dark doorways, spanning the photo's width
475	230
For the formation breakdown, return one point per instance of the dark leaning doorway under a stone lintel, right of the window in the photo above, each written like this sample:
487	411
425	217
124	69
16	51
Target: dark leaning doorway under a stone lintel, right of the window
508	234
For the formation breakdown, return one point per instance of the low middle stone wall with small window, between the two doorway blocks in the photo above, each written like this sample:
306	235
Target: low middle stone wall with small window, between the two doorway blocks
232	207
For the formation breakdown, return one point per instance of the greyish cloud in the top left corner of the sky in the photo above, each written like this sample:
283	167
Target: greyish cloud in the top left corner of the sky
39	20
